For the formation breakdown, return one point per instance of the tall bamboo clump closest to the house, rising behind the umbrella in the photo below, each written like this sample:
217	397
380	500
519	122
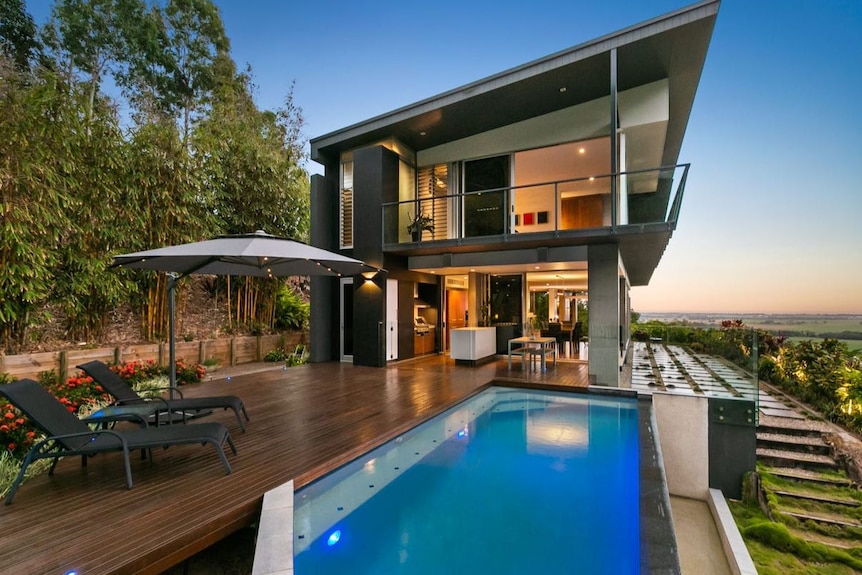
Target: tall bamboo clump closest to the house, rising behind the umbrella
251	165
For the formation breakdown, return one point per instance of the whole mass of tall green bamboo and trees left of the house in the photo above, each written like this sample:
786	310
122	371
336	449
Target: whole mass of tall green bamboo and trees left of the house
191	157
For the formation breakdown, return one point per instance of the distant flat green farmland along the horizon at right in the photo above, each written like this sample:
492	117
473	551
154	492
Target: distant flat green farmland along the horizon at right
795	327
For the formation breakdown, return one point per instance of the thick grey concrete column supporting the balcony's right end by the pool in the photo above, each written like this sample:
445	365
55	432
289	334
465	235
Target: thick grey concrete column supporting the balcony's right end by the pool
604	306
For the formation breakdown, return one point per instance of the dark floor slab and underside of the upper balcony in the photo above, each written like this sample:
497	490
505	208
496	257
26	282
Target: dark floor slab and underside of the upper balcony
641	247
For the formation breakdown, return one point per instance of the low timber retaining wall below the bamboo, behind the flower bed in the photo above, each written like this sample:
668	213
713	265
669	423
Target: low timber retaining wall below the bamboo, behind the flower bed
233	351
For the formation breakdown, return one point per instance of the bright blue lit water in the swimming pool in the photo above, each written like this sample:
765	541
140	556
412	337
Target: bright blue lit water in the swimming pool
509	482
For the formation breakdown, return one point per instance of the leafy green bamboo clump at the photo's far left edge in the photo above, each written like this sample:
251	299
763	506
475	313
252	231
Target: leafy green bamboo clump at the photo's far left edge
33	151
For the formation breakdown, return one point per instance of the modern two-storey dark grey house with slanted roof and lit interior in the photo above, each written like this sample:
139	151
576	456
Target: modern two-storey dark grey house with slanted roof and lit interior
541	188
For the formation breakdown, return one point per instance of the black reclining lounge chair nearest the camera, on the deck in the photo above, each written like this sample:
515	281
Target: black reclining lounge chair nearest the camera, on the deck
68	435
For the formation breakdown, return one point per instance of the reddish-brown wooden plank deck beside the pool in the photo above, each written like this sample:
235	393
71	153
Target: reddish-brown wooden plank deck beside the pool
304	421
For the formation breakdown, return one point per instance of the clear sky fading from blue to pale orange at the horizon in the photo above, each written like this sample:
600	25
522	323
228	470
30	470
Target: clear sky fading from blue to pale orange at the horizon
770	220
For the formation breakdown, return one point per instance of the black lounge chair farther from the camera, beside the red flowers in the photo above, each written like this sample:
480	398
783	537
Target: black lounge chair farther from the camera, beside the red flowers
195	406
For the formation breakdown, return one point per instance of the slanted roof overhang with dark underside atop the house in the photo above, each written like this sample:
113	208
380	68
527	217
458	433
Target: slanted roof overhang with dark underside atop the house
672	46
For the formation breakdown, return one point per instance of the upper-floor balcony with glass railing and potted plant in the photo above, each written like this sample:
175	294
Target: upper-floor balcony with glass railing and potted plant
567	212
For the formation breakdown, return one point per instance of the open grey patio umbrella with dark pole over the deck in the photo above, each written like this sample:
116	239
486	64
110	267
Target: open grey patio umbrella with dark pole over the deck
258	255
